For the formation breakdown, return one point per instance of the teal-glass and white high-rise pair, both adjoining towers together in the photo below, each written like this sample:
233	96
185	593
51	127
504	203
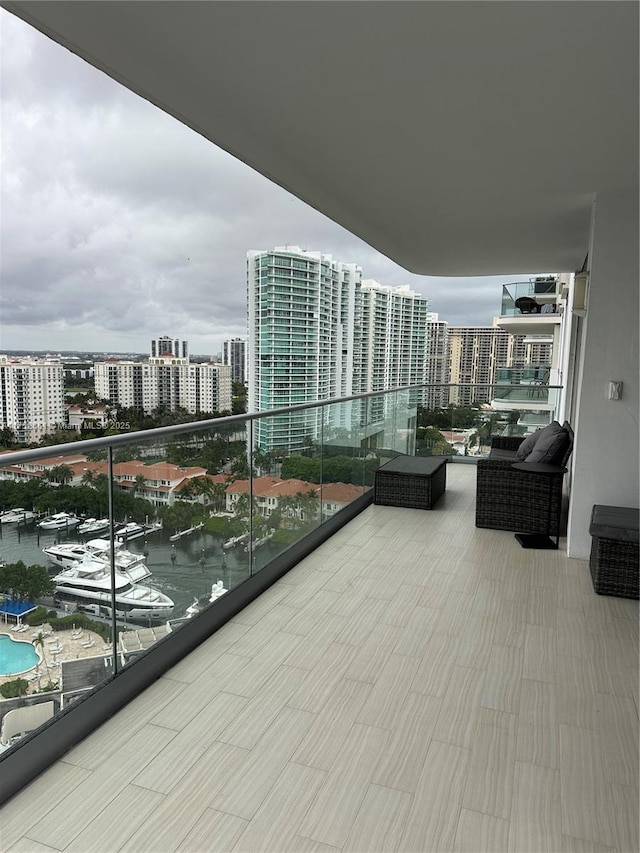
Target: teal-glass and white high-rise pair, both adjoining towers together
317	331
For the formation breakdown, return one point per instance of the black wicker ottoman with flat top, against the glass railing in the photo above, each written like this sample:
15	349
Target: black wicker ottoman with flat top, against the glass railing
411	481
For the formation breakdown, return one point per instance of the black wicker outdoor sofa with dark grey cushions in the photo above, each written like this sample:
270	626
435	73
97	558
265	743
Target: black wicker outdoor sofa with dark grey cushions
517	500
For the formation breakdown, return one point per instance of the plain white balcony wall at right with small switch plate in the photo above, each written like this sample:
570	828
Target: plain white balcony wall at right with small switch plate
605	461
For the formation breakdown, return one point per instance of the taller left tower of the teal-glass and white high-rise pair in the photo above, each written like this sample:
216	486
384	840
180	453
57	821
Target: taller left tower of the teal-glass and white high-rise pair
301	316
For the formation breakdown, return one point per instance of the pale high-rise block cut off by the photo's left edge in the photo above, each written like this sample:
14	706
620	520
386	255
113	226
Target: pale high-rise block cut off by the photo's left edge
31	397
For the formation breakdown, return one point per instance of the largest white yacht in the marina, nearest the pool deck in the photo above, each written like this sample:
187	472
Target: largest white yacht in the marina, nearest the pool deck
87	587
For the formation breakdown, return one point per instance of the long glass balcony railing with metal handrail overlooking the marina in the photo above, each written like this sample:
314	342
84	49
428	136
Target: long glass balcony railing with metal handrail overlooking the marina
138	538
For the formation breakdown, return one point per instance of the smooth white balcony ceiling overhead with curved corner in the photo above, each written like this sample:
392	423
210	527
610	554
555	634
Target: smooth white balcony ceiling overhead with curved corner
457	138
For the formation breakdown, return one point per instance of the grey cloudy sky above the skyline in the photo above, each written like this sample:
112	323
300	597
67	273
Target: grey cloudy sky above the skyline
119	224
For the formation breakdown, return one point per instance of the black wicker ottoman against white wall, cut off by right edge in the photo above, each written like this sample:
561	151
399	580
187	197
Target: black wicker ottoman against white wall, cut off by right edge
614	550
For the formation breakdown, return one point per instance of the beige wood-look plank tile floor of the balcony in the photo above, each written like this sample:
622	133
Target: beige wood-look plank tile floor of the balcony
414	684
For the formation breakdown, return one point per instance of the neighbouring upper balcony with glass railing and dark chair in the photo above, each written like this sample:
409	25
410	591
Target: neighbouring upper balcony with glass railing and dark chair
530	307
